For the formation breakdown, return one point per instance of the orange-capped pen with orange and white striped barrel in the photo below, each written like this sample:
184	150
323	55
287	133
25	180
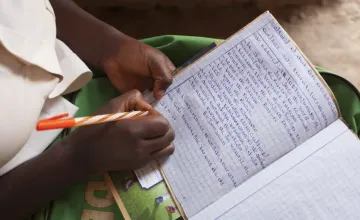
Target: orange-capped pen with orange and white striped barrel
60	121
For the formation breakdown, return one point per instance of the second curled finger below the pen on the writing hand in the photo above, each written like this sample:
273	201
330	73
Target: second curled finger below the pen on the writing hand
158	143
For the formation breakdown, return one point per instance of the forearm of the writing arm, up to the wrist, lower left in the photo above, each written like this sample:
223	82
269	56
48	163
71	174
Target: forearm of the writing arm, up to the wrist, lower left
27	188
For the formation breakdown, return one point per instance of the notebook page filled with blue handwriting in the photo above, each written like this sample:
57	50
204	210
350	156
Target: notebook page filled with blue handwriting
237	110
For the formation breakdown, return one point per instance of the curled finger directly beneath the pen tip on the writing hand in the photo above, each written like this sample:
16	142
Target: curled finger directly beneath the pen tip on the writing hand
145	127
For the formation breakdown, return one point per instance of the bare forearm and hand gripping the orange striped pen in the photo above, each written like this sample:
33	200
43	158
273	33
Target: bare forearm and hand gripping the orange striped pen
88	151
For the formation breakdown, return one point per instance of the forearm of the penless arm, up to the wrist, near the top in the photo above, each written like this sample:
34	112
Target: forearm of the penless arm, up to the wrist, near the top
82	32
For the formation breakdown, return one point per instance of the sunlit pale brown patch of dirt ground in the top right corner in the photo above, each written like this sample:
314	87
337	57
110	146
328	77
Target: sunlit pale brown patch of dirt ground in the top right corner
330	37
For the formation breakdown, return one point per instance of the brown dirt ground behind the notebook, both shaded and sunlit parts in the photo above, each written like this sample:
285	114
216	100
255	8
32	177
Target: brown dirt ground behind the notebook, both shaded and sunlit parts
327	32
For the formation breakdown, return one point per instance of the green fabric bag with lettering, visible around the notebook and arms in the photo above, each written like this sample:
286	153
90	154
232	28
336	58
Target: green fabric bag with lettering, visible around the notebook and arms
90	199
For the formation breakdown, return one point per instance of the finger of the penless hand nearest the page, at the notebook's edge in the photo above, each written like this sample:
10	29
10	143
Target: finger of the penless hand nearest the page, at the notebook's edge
162	74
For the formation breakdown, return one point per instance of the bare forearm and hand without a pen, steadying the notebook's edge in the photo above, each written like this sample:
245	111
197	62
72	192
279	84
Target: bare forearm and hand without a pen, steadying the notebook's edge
128	63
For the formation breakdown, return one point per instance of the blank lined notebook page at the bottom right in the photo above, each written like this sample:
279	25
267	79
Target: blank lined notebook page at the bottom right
303	170
